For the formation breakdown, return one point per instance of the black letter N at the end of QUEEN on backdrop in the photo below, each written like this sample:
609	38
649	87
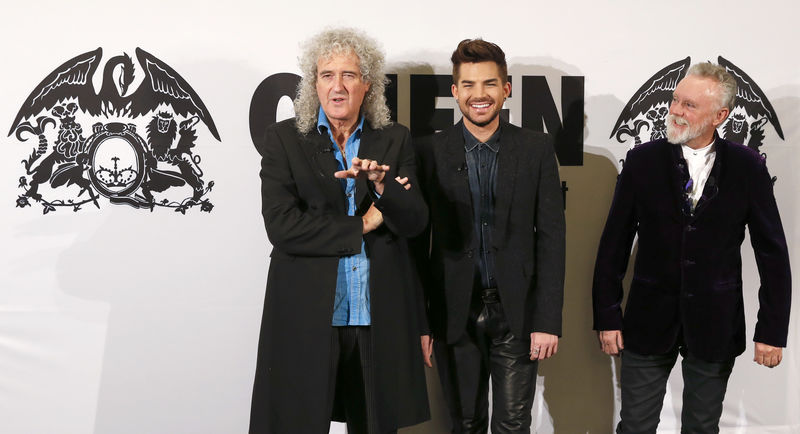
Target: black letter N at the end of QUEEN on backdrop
539	110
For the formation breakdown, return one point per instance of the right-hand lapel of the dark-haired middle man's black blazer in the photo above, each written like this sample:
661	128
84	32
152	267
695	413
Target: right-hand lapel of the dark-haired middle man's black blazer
505	178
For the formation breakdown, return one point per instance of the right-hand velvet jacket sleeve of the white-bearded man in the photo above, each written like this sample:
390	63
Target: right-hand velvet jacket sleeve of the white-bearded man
772	260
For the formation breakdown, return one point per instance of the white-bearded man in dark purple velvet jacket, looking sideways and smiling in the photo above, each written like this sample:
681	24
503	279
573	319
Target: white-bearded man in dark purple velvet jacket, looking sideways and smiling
689	198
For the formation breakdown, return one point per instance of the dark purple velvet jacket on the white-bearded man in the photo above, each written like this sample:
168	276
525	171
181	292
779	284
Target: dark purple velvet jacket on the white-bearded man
687	282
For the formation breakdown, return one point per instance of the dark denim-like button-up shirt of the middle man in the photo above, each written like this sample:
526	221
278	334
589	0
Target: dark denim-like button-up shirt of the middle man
482	170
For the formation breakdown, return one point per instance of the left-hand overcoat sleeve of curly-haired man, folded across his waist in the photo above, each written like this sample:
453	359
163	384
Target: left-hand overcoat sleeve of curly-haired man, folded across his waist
293	226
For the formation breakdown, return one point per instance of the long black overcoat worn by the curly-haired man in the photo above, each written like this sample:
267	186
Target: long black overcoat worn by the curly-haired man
307	223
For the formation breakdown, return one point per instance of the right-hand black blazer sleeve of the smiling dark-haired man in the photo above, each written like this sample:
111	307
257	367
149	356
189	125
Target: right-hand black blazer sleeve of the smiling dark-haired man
550	246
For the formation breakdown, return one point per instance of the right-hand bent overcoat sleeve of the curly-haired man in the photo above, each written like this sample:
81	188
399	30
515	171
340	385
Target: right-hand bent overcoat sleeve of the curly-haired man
404	211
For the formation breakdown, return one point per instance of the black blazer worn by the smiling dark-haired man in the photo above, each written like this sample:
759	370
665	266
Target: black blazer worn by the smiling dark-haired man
528	232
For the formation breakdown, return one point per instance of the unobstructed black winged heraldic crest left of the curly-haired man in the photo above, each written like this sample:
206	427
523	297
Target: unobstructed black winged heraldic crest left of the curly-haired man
109	156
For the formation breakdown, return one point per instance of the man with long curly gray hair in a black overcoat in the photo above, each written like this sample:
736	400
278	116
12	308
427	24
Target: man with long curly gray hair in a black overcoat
340	335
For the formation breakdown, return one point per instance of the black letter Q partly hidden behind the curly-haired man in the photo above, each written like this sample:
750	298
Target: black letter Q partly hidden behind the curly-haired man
264	105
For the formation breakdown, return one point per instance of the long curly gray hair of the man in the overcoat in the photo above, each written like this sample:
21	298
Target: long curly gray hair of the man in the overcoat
371	62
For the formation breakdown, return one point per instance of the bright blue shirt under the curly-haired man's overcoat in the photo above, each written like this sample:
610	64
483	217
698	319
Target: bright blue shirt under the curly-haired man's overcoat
351	304
